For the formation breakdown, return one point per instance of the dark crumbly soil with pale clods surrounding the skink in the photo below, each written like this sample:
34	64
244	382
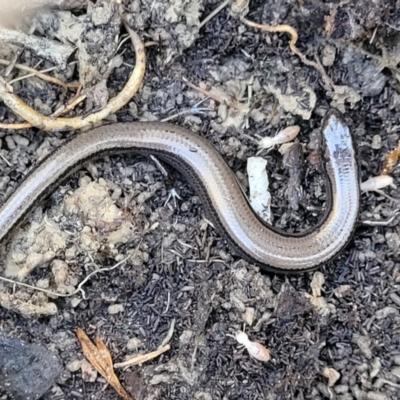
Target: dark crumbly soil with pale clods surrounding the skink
182	273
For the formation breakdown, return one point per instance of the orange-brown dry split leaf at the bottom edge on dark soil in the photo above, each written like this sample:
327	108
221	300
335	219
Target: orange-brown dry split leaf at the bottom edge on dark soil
100	358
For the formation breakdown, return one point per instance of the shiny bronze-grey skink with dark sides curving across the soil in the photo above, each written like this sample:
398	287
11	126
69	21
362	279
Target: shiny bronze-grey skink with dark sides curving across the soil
216	185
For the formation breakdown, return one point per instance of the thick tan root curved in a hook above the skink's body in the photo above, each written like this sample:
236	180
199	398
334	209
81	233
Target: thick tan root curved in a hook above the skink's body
61	124
